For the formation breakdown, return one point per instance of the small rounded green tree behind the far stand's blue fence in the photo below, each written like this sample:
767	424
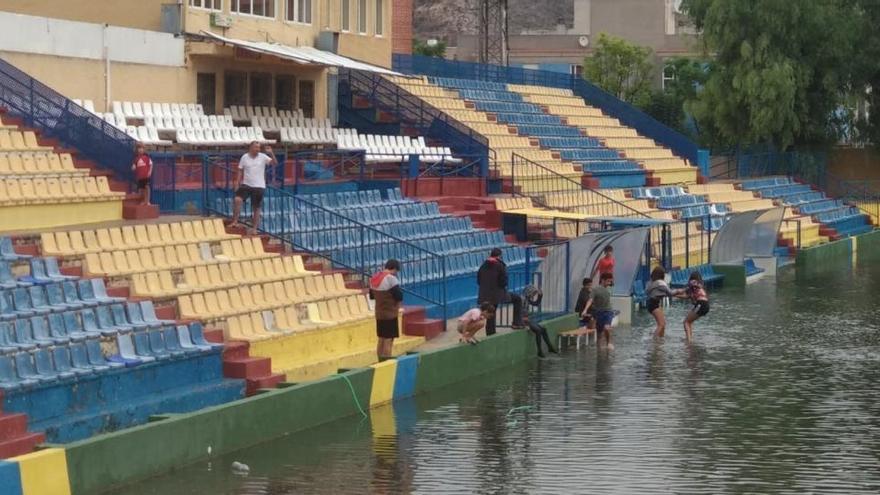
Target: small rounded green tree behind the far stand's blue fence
620	68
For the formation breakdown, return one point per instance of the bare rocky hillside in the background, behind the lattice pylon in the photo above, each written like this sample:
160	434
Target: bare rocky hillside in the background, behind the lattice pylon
446	19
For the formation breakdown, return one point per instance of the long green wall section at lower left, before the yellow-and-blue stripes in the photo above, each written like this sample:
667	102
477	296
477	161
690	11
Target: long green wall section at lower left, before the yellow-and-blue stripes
129	455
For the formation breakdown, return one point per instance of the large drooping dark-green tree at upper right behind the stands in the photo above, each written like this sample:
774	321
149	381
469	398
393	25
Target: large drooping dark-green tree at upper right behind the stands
782	69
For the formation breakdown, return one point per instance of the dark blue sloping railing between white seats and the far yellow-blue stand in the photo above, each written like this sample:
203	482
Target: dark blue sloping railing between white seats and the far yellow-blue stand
415	112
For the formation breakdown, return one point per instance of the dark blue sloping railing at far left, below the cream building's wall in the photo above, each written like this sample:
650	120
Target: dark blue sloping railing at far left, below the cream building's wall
44	108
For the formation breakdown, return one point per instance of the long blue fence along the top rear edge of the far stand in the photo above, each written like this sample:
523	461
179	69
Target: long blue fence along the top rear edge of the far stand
626	113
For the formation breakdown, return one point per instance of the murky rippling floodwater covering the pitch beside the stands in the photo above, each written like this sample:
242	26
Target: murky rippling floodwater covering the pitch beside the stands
777	395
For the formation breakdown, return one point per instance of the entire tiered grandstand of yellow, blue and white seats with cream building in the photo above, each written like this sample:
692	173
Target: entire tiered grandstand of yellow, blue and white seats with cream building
114	311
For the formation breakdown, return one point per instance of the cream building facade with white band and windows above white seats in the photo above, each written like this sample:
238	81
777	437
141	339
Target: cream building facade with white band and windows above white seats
153	50
